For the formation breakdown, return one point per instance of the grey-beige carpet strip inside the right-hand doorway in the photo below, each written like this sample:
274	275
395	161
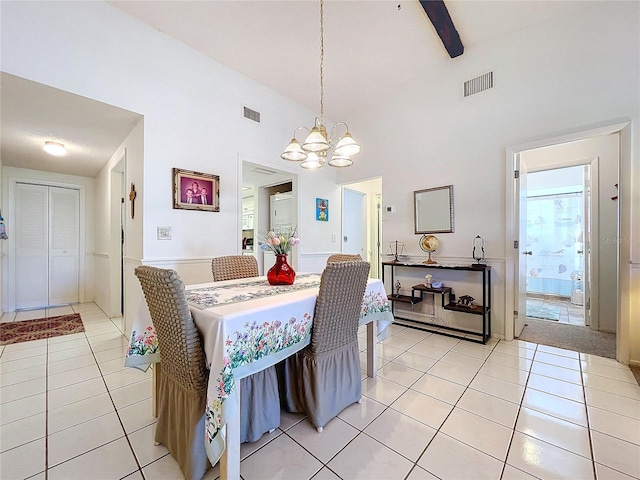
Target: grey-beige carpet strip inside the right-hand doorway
570	337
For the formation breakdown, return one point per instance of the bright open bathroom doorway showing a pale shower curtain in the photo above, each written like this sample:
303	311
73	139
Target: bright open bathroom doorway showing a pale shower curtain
558	262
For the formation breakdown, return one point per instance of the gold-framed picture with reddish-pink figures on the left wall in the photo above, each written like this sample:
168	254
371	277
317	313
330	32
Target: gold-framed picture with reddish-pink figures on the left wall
196	191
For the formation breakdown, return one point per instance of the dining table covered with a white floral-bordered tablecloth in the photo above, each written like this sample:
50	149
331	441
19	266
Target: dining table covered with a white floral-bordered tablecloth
248	325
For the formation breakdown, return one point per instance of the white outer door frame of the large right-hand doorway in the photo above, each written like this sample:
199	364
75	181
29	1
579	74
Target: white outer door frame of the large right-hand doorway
623	130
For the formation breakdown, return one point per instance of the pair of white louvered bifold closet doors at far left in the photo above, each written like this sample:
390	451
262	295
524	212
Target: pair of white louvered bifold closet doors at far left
47	246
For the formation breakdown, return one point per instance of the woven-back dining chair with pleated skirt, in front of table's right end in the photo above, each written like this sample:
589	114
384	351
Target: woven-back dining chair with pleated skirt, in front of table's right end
325	377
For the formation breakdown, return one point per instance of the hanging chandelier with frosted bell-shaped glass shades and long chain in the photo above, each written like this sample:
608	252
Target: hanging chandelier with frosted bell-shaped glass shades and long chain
314	151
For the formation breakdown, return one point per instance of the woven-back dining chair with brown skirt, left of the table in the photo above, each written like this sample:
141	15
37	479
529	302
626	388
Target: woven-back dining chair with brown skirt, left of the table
182	389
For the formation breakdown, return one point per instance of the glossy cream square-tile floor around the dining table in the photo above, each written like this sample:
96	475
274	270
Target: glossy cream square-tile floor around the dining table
440	408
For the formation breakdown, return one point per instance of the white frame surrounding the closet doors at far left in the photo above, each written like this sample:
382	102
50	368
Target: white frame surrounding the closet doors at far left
10	220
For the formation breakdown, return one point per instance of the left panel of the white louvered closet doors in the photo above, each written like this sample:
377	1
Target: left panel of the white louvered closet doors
32	246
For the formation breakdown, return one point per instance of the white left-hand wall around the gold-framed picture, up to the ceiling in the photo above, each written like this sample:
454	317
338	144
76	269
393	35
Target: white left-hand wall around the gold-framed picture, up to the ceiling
192	119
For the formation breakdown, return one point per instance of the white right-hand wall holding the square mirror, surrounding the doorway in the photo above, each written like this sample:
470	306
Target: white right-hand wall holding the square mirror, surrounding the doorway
560	76
